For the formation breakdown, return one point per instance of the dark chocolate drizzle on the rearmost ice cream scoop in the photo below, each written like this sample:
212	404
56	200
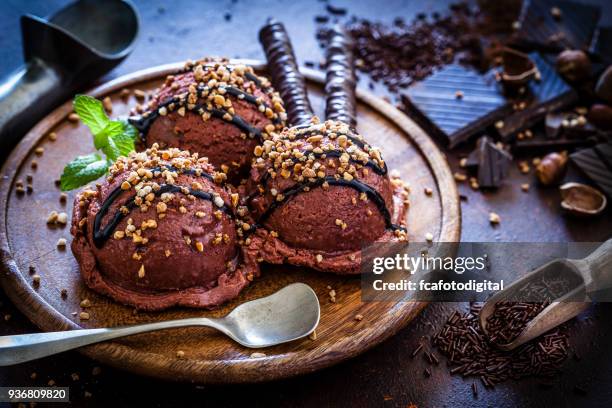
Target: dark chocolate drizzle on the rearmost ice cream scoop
144	122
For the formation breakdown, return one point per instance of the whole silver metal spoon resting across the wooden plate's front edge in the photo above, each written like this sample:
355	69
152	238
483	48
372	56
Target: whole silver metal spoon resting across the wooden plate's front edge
289	314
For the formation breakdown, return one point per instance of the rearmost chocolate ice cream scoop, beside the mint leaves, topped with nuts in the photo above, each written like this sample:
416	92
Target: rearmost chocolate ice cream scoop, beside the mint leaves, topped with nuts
219	110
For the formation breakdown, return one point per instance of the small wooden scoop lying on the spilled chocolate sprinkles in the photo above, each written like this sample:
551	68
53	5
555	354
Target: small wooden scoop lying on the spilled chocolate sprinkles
593	277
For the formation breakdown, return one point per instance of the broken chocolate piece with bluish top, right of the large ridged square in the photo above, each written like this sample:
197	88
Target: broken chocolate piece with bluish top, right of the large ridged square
548	94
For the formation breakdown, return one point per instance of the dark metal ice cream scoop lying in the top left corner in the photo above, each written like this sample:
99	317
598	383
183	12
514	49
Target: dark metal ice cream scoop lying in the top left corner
63	53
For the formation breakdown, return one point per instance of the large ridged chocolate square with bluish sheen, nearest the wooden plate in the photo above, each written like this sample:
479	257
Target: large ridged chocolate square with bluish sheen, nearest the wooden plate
456	102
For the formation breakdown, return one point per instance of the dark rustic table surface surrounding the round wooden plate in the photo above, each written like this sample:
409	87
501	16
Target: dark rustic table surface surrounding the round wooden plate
386	375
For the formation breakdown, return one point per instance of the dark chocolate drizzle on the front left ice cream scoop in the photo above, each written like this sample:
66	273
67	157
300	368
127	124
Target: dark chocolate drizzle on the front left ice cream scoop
101	235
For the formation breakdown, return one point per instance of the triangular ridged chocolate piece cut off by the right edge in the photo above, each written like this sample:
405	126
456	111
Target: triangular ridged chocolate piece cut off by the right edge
596	163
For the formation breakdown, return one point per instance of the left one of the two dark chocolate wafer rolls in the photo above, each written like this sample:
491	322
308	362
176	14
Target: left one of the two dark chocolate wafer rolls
286	76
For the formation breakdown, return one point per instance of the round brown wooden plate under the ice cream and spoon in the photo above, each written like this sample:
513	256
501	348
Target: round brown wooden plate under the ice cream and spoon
26	241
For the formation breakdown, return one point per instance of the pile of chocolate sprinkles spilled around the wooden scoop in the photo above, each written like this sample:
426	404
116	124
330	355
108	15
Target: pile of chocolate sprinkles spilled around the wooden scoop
471	353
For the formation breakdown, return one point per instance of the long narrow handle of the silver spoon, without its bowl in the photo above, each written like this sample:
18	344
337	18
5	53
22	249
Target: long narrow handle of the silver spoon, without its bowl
26	347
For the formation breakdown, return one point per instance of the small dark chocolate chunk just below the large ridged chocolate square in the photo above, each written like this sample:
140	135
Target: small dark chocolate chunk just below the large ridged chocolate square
492	163
